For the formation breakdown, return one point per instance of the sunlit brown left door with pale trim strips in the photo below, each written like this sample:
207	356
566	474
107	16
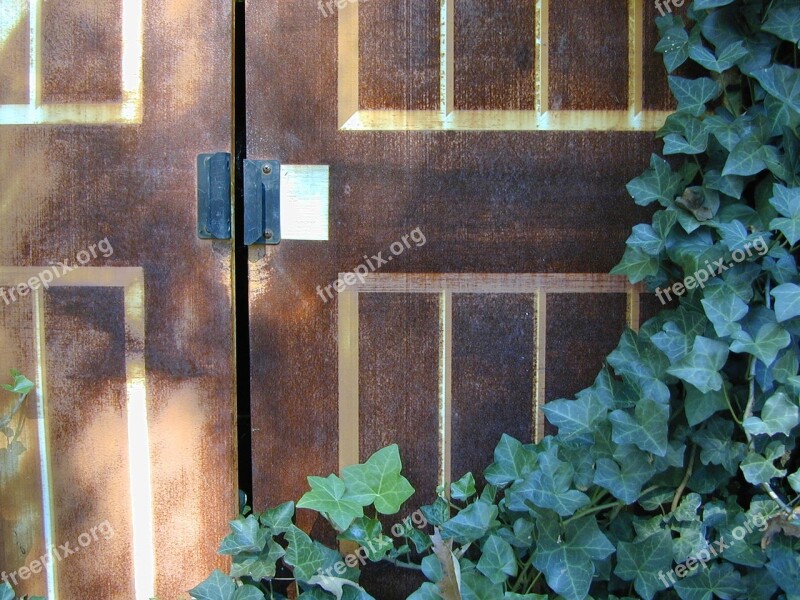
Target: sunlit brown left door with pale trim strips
129	442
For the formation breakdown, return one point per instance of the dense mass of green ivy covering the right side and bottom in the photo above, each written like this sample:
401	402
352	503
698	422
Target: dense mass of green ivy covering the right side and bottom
675	475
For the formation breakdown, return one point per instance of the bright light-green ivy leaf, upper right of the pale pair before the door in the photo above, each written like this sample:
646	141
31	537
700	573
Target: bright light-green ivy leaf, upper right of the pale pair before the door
379	481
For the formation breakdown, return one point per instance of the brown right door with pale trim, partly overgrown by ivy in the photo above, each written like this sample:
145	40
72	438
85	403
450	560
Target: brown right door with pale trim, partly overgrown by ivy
476	155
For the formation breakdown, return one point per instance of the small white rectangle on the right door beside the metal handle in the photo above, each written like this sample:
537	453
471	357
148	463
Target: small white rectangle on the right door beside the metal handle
305	198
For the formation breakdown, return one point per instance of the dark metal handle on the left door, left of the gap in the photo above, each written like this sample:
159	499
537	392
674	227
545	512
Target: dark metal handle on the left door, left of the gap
214	196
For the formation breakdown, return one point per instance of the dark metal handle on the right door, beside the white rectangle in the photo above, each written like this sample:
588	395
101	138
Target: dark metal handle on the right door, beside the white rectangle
262	202
